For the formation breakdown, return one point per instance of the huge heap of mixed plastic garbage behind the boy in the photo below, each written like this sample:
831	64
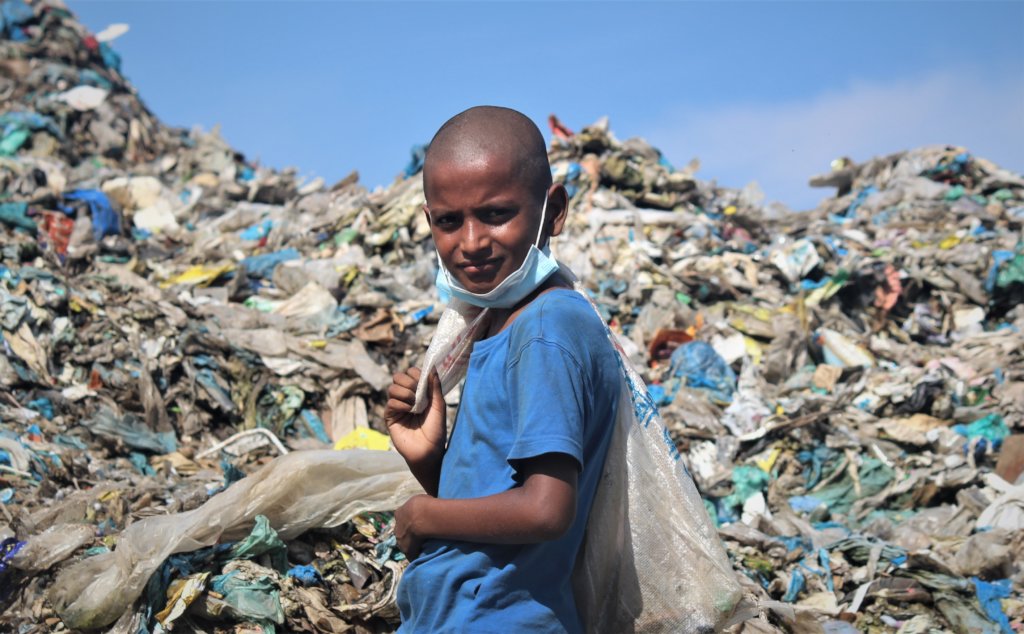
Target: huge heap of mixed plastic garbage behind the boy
183	327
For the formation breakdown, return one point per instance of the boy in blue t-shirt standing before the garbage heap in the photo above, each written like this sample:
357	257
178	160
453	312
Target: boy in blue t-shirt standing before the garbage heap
494	542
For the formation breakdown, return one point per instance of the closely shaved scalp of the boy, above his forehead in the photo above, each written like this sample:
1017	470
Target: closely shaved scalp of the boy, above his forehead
486	133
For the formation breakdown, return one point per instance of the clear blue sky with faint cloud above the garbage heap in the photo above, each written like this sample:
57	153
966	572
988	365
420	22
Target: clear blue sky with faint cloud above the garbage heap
765	92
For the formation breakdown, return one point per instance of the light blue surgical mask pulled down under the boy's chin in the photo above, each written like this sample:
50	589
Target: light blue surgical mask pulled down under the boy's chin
536	269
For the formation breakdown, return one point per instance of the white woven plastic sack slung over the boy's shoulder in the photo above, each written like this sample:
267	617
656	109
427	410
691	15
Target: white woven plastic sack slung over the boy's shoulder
652	560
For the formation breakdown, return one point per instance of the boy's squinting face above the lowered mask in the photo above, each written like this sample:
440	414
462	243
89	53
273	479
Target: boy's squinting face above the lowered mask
484	220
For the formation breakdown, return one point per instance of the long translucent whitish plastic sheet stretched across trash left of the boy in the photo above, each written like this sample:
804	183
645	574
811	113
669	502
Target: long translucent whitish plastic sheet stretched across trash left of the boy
296	492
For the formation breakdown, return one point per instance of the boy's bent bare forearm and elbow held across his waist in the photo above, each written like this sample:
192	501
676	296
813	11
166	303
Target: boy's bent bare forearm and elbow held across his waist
542	510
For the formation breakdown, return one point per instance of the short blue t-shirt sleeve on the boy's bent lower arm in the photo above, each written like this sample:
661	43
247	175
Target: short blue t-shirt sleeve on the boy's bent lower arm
546	388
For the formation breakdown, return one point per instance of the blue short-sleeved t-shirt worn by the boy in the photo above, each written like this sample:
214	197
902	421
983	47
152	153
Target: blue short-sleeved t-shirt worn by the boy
548	384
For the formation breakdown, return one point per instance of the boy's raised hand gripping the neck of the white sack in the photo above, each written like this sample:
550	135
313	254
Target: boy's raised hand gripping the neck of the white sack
419	438
